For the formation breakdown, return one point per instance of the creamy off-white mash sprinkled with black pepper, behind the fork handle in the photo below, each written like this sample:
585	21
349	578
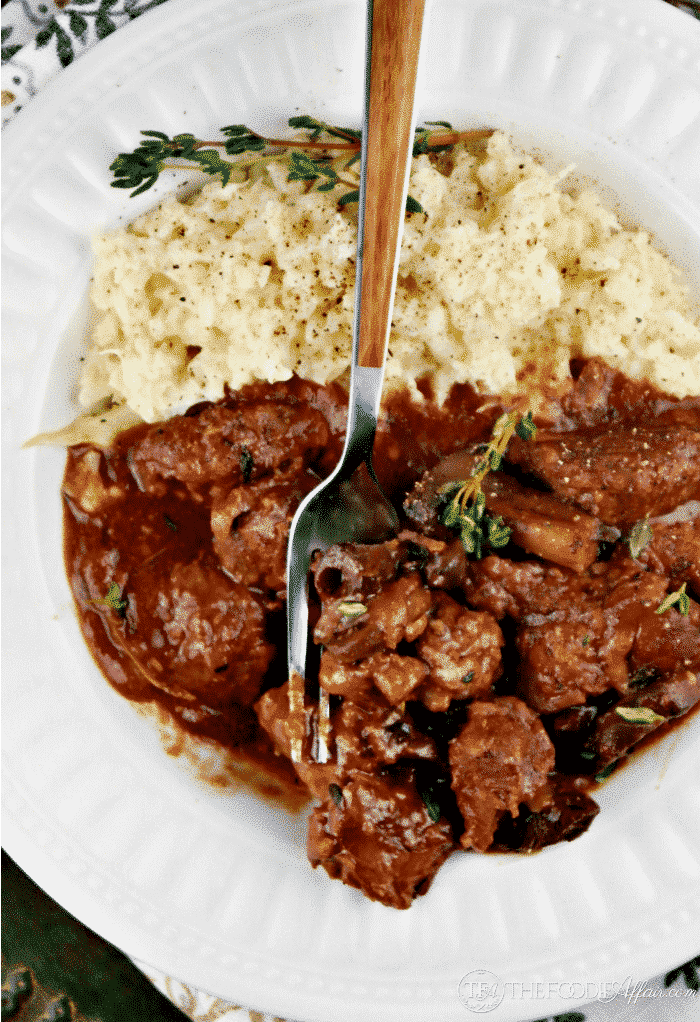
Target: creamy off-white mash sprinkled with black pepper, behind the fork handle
503	281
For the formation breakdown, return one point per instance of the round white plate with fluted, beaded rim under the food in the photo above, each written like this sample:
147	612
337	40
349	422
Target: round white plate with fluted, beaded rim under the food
216	890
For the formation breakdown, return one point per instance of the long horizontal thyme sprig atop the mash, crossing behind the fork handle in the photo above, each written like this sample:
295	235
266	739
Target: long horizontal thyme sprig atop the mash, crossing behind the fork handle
317	158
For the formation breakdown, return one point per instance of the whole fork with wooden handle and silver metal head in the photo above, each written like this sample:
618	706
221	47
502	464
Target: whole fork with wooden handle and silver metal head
350	505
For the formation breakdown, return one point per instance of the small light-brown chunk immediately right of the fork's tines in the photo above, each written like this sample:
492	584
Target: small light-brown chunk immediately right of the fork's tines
396	677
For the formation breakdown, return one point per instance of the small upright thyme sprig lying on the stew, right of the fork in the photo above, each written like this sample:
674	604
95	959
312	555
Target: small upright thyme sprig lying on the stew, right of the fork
466	503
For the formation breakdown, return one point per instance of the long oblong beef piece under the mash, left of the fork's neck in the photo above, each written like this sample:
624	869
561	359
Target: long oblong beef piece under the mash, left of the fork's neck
238	445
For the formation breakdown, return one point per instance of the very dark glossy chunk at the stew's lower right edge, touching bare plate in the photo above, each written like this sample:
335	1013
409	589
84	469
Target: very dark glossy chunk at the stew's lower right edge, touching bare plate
570	815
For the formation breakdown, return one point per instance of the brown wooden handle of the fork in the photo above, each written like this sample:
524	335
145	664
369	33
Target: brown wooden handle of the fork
396	33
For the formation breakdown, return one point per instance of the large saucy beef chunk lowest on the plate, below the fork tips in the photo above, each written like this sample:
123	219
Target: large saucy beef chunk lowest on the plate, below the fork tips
377	835
